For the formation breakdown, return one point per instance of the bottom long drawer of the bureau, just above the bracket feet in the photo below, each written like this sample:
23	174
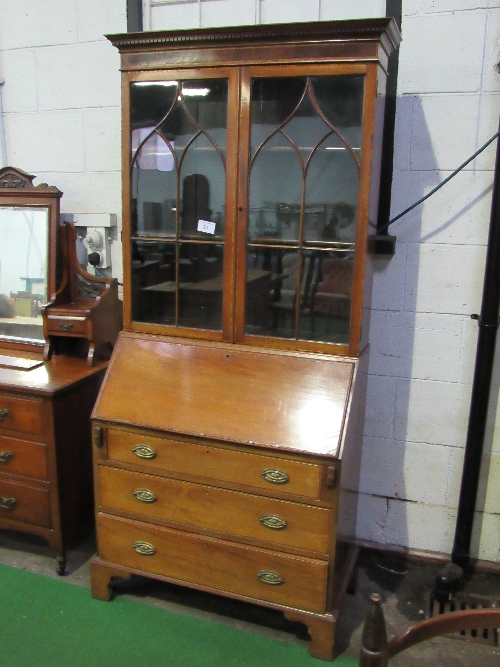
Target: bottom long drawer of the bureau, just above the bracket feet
291	580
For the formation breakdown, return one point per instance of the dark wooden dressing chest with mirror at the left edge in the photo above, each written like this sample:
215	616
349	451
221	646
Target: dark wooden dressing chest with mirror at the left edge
54	342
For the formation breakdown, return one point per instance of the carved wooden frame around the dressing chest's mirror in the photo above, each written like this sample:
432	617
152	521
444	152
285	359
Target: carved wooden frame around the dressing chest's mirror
17	189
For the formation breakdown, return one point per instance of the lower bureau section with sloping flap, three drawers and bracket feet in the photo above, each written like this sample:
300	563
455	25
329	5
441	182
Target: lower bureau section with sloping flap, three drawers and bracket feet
184	494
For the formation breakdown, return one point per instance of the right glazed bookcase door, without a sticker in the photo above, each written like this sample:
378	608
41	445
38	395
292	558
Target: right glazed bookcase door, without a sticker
304	182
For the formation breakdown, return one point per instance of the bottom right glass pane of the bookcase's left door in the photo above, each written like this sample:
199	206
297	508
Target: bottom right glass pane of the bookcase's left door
200	285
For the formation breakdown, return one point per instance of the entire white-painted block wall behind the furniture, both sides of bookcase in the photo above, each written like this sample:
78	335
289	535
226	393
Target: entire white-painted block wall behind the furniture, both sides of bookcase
61	100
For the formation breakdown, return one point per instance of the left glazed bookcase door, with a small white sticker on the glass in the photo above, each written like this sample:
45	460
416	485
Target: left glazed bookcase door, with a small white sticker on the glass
180	140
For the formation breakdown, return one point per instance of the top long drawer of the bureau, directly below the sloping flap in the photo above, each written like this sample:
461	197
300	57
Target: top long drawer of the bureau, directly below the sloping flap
225	465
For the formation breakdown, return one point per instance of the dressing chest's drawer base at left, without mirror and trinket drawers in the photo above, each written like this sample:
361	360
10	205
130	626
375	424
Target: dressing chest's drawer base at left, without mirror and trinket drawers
45	452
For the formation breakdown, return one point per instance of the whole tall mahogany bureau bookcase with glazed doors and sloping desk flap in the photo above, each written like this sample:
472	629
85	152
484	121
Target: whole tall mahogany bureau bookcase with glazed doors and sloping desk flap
230	412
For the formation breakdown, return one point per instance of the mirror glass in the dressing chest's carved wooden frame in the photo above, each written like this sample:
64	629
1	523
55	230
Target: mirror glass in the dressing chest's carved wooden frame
23	271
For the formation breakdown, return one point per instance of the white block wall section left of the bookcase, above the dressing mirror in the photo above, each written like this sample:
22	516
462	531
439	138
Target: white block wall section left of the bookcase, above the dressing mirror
61	100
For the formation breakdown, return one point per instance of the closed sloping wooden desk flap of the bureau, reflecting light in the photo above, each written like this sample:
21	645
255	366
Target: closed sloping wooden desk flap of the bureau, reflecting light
222	392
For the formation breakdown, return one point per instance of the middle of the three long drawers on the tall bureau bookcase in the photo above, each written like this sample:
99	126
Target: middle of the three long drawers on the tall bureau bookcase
277	521
